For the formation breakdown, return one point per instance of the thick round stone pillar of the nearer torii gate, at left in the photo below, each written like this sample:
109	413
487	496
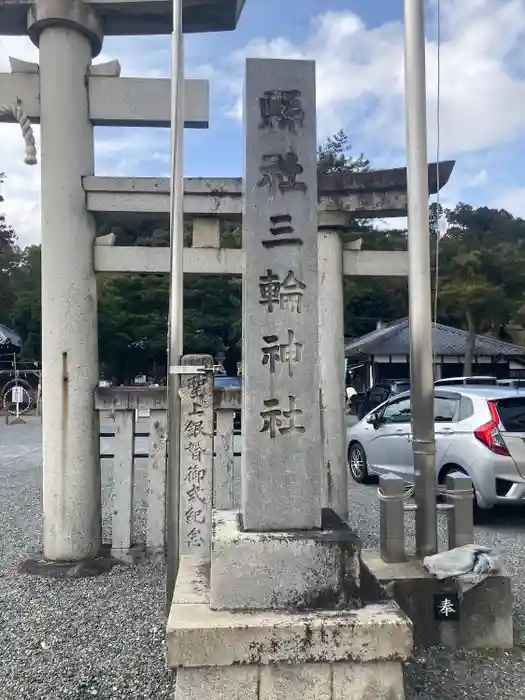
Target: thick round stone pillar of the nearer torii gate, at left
66	34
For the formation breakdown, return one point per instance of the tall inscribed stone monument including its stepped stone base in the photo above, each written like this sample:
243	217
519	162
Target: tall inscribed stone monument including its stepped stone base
275	611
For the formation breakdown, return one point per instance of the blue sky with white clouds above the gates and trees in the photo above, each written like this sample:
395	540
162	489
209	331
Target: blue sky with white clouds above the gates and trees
358	47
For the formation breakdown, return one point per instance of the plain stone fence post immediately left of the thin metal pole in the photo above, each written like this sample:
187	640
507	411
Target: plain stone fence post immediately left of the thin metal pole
156	518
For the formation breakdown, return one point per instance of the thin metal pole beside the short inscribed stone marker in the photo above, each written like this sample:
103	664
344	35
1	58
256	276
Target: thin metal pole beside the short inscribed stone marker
175	321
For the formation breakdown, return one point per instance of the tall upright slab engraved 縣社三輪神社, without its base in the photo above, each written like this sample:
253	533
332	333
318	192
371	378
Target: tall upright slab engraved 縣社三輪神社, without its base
281	463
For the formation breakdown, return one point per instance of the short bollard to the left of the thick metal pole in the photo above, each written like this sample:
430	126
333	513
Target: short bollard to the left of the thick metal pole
391	494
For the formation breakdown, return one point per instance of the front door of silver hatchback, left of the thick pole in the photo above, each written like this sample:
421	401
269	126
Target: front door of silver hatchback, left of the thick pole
390	449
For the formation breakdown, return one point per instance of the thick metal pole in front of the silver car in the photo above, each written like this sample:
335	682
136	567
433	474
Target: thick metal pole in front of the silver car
420	303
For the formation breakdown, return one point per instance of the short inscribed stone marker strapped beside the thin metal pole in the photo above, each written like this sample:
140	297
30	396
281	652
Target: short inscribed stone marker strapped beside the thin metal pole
196	472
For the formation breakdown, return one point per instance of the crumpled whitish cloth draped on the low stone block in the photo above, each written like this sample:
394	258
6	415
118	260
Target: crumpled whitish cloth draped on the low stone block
469	566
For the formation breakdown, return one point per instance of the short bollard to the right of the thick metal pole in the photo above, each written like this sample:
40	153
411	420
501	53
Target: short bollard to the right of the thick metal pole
460	515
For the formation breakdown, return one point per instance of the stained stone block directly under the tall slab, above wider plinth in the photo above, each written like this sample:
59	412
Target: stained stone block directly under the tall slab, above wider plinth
314	569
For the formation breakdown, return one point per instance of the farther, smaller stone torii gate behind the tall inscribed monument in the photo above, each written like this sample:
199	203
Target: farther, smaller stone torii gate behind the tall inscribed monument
342	200
